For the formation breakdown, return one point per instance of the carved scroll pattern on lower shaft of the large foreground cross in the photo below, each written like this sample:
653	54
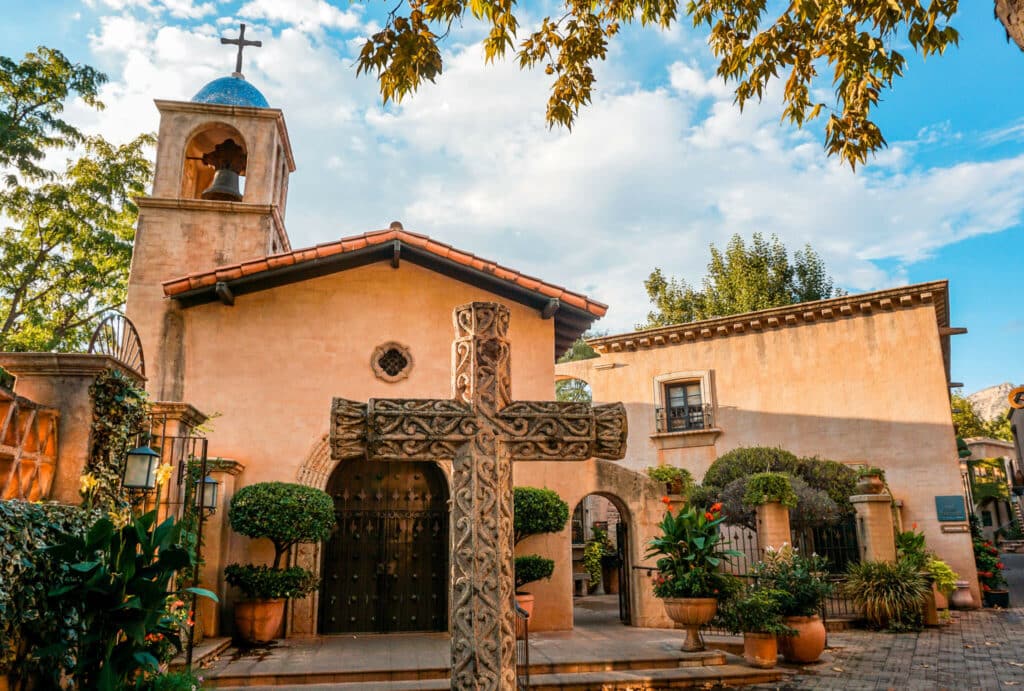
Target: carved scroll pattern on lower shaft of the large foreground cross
483	633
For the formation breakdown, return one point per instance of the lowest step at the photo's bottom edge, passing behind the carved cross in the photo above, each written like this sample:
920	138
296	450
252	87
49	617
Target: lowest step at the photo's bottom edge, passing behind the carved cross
631	680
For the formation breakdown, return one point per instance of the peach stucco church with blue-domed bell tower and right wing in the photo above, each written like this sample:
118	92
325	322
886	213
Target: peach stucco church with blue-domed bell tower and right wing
257	336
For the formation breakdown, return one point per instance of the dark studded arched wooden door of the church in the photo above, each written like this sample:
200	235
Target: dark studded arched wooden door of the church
387	566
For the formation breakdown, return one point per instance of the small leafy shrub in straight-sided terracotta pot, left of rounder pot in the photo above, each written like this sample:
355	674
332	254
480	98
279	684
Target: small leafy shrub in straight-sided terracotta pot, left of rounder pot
757	614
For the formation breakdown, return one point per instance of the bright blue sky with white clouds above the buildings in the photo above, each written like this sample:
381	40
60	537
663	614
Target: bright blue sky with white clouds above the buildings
660	166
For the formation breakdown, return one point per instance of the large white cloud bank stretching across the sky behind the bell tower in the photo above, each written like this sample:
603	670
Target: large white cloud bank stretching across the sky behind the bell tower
649	178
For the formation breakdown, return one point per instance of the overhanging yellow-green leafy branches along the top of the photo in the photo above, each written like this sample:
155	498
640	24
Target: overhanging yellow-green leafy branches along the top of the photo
856	40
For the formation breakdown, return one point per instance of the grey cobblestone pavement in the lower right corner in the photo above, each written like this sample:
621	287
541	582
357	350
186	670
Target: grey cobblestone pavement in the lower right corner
977	651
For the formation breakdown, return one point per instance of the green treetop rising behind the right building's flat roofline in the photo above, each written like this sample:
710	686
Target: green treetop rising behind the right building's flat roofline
741	280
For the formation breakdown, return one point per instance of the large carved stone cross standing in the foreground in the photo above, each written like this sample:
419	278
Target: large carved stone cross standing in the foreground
483	430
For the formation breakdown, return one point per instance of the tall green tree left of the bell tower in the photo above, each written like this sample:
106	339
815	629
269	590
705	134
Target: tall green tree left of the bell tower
67	241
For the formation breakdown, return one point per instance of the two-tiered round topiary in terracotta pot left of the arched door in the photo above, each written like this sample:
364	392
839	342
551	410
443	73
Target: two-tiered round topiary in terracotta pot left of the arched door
287	514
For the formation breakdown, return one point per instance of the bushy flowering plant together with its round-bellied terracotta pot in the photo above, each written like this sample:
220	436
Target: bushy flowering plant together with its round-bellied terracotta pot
804	587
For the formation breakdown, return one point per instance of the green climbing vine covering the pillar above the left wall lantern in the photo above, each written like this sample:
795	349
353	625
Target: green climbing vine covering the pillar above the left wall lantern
119	414
